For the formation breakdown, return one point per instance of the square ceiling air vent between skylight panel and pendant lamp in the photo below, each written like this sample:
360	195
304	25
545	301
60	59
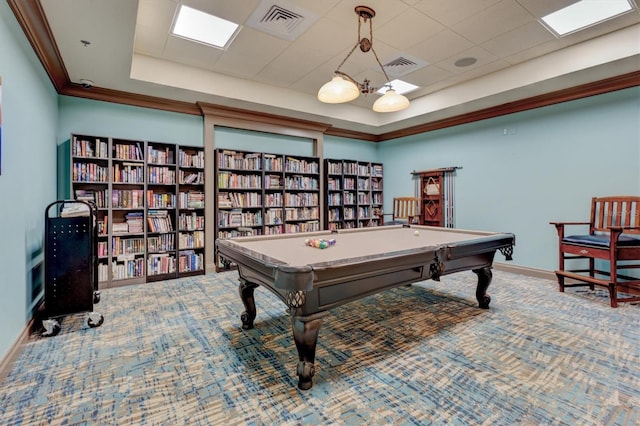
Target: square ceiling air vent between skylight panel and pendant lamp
281	19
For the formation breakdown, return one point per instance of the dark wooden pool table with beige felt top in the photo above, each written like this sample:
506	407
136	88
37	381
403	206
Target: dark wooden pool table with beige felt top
364	261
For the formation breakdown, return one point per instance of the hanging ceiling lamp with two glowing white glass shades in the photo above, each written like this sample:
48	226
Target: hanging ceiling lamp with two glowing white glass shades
343	88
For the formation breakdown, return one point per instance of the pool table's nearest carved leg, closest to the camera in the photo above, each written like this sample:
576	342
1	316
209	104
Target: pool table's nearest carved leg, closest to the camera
305	334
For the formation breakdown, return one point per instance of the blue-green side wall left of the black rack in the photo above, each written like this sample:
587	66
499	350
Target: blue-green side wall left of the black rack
27	182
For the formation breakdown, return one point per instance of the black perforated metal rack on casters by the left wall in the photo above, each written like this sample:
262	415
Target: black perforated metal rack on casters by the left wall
71	268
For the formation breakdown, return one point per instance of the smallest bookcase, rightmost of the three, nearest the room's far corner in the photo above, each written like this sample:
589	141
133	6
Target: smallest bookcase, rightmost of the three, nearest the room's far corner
354	194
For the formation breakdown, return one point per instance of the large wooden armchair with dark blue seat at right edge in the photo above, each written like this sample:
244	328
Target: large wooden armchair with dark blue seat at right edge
614	239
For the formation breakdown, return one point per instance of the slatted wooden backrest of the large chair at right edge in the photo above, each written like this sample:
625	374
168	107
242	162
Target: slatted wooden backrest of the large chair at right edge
615	211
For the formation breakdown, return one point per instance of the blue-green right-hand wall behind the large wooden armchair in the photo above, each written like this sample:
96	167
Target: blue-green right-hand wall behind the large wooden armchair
546	168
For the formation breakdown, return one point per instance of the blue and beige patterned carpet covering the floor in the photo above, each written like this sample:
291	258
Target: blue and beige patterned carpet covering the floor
173	353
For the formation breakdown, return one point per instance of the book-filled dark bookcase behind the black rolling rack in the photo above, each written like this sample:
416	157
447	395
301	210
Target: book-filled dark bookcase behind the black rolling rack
145	232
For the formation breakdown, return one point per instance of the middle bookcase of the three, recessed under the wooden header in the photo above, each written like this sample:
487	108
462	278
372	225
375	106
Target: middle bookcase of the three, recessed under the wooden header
261	193
